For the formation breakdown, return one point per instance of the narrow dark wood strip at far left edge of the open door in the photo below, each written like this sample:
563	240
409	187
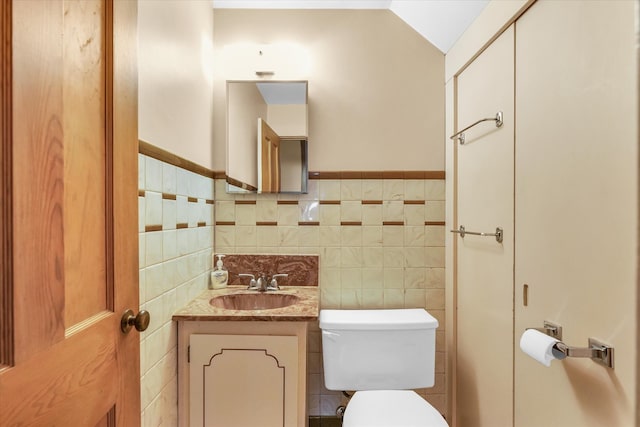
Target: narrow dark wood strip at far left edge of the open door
6	223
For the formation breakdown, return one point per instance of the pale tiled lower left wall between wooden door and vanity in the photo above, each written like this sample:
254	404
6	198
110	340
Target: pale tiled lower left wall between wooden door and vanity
174	267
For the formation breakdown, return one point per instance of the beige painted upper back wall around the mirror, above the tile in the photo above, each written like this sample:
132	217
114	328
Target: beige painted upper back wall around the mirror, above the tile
375	96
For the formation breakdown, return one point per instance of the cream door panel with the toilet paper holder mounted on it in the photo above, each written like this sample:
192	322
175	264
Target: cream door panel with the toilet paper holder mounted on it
576	207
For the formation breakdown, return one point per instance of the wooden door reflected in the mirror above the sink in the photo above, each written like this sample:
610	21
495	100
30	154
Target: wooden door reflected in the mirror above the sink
269	159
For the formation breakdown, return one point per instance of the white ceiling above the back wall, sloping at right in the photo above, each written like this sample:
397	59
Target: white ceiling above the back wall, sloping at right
439	21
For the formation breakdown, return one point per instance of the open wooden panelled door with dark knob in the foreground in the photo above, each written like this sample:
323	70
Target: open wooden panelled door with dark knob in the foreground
69	257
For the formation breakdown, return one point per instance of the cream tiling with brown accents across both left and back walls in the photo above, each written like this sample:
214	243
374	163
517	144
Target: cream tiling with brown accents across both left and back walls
367	266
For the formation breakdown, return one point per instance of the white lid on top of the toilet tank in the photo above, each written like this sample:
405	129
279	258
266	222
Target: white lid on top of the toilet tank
392	319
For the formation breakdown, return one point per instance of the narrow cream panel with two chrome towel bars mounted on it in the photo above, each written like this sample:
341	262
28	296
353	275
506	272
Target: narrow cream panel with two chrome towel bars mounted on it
484	286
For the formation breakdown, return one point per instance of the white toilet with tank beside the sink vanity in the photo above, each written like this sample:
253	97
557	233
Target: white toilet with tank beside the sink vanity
382	355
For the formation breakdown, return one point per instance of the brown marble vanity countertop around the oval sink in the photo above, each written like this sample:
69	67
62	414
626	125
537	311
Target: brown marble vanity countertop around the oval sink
200	309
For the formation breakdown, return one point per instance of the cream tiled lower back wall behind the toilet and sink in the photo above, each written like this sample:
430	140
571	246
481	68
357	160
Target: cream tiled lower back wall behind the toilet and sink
372	265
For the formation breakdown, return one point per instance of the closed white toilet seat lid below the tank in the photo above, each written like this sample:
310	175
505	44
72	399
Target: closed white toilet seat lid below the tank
391	408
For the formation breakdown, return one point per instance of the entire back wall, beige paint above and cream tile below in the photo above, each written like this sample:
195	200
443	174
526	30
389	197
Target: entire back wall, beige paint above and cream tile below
376	102
